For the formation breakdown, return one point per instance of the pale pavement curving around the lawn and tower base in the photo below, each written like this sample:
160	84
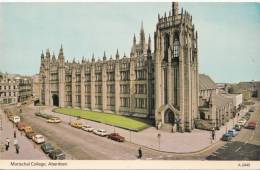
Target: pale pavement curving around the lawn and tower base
195	141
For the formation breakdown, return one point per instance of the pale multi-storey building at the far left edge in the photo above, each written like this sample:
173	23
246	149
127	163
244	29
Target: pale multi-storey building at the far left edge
14	88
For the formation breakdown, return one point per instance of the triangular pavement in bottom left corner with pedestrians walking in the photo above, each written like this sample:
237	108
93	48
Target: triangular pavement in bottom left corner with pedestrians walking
28	150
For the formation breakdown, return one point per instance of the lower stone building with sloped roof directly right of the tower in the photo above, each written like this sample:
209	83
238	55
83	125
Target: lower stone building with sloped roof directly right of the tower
215	109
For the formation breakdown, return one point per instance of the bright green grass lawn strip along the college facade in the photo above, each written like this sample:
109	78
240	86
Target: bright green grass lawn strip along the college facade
106	118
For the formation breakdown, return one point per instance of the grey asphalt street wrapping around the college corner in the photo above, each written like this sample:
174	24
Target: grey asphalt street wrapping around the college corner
81	145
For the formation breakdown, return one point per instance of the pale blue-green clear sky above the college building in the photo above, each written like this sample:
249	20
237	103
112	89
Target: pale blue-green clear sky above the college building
229	34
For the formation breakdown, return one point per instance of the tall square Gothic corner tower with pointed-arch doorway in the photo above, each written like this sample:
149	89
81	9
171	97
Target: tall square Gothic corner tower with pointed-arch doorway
176	70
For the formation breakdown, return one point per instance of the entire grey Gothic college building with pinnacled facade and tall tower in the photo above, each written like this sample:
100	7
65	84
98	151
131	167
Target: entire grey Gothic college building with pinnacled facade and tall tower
161	85
